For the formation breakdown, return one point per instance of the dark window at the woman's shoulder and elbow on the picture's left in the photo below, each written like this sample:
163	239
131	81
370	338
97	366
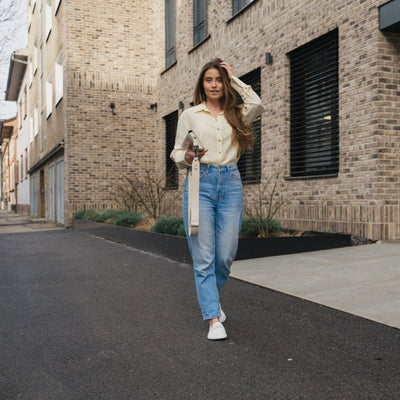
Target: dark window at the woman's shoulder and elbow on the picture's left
171	170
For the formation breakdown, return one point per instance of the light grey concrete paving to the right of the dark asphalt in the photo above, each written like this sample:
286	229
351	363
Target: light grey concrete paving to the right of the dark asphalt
361	280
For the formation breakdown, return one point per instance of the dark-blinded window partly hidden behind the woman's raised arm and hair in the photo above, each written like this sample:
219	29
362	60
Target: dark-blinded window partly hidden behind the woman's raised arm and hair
249	163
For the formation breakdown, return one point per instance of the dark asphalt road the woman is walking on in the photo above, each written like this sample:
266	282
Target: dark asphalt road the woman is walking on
84	318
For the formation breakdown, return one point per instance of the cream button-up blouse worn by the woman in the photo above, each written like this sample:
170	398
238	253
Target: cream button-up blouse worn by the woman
215	133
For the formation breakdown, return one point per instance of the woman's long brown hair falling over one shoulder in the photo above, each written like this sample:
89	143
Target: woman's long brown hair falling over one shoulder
233	113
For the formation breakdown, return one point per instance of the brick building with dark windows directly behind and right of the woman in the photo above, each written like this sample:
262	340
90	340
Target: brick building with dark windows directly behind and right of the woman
330	80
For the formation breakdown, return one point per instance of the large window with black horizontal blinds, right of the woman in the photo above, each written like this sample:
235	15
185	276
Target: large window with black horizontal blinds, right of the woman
314	113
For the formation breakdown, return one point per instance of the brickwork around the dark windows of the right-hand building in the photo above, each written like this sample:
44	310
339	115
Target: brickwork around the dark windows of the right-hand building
364	199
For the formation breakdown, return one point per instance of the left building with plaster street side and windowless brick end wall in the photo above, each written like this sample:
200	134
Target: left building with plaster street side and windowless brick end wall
93	74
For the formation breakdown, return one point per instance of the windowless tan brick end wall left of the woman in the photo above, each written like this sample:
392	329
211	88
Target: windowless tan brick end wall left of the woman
110	58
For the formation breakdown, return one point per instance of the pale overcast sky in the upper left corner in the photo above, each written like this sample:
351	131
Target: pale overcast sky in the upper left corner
13	34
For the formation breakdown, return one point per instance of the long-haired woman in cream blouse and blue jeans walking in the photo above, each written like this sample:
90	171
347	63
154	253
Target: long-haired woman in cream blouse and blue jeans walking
223	130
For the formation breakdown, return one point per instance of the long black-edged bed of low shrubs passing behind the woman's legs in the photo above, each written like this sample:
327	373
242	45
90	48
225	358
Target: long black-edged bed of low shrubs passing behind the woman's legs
166	236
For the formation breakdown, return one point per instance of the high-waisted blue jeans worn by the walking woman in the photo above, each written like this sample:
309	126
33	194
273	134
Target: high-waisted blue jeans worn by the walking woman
215	247
